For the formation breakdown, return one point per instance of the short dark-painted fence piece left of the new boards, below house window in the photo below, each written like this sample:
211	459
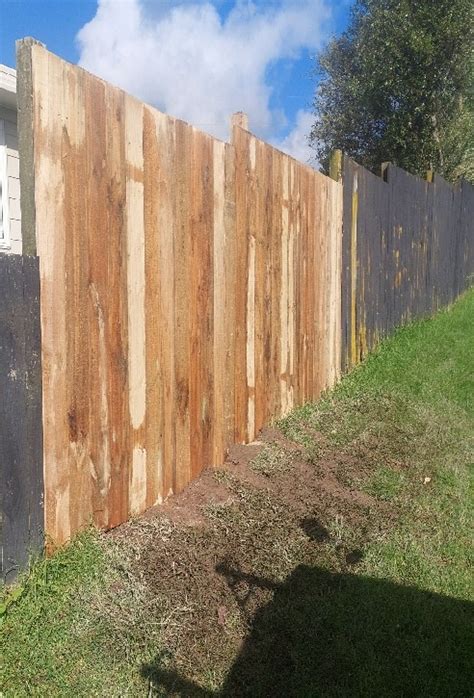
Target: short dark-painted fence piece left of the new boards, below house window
21	457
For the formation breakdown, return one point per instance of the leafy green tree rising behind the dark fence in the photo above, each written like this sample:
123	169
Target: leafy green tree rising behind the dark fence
398	86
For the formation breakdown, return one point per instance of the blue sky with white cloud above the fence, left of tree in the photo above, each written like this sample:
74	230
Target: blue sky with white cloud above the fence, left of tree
196	60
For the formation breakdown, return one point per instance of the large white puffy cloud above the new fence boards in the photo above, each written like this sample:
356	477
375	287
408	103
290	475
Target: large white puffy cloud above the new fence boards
192	64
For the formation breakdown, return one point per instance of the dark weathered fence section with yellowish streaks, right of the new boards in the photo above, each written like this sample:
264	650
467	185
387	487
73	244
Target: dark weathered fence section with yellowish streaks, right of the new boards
408	250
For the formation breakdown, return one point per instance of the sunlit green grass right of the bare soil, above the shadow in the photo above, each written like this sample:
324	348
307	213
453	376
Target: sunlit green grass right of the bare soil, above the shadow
414	399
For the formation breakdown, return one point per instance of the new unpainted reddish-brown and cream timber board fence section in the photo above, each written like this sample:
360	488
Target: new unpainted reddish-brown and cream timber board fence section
190	290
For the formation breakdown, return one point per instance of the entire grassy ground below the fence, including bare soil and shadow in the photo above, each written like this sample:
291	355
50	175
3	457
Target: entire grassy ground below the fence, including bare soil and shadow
366	590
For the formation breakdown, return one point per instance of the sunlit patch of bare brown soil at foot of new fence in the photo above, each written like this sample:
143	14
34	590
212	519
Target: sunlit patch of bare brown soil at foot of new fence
232	539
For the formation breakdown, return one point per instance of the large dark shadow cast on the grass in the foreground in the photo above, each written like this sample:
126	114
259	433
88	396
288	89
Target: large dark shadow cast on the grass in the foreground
326	634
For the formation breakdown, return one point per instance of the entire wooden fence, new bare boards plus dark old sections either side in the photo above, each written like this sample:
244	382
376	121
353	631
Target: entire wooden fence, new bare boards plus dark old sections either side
191	291
